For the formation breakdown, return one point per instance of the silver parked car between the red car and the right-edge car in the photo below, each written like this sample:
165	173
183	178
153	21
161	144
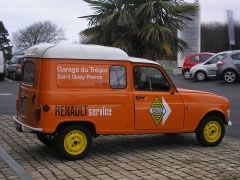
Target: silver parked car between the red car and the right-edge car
207	69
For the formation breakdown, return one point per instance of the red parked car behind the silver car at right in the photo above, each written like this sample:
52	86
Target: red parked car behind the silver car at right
193	59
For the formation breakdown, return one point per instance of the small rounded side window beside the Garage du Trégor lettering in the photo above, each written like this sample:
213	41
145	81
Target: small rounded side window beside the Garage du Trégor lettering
118	78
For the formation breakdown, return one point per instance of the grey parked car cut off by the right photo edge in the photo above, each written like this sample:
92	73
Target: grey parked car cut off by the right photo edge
229	67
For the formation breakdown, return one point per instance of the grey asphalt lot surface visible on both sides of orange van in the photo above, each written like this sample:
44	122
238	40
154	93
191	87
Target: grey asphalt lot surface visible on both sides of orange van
9	90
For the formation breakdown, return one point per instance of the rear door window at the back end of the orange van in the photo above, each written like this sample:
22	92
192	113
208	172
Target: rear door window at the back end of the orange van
29	73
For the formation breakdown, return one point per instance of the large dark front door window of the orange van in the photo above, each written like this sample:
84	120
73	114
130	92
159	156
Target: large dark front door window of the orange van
149	79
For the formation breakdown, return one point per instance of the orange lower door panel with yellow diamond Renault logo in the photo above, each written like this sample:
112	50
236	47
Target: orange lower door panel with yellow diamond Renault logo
173	111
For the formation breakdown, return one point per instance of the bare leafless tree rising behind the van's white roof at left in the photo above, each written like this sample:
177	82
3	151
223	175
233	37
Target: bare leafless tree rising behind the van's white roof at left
39	32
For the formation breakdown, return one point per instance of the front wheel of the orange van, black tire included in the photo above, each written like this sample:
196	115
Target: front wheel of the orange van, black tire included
210	131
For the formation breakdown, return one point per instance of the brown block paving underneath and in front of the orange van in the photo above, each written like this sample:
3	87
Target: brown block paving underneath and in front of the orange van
123	157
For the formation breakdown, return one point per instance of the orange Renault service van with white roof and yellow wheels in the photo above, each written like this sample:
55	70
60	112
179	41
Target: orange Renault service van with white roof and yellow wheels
72	93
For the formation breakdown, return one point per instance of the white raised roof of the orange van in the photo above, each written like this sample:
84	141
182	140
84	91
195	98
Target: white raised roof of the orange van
80	51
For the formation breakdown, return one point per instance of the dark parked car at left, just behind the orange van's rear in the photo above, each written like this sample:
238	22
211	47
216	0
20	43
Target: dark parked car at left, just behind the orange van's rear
14	70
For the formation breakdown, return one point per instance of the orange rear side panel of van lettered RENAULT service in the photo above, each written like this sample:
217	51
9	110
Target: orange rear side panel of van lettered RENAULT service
73	99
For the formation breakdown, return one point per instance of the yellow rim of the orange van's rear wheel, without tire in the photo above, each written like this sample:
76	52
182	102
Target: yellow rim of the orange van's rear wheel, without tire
75	142
